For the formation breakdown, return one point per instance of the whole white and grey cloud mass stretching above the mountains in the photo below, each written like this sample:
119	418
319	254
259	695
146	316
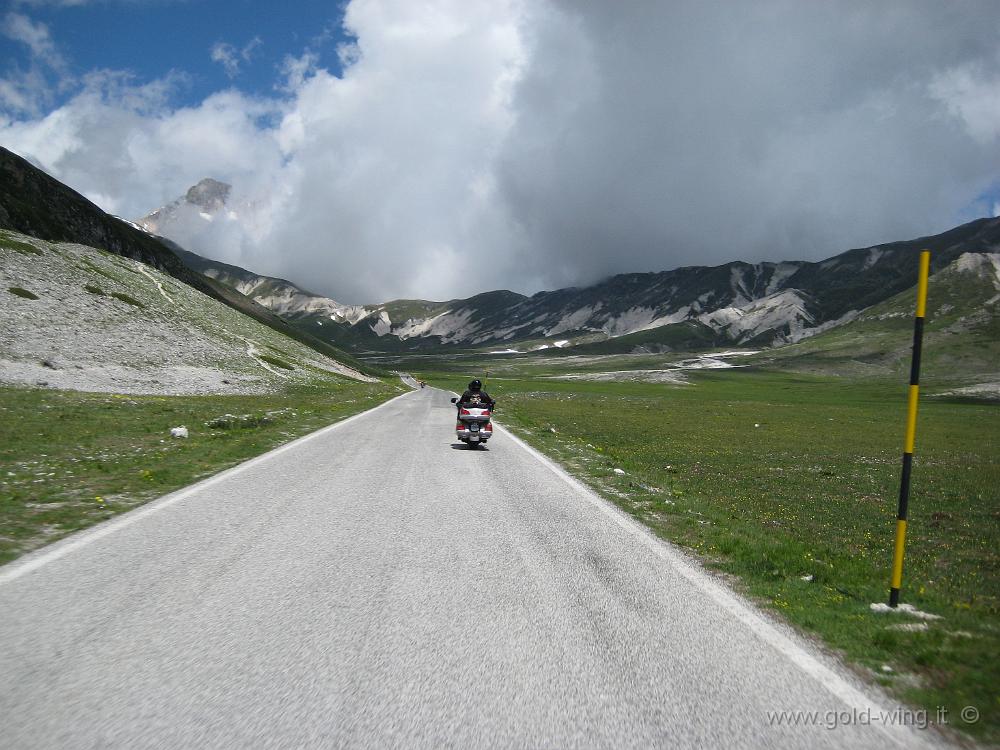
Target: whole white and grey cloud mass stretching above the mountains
560	141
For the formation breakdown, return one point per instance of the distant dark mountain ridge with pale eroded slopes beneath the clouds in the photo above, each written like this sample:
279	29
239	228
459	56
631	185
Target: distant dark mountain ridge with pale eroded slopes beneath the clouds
741	304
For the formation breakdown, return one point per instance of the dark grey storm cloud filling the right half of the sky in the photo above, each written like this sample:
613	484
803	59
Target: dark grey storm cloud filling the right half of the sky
652	135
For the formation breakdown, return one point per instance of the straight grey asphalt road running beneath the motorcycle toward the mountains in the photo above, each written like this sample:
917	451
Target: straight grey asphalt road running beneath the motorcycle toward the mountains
373	585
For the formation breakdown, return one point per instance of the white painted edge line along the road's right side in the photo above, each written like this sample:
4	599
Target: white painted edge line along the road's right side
767	631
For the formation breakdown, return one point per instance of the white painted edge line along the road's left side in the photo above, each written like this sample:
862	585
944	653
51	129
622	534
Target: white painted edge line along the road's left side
35	560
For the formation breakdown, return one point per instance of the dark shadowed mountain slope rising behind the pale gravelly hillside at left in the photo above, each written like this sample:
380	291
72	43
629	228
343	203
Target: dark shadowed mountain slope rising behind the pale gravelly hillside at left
35	204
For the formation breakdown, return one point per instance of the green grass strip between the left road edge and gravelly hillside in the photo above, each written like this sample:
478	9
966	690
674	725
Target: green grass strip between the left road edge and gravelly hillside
69	459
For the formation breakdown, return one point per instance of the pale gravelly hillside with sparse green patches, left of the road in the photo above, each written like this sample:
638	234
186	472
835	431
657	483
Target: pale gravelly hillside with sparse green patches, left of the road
86	319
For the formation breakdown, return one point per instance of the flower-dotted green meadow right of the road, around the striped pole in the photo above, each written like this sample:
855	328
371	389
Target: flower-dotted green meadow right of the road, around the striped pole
769	478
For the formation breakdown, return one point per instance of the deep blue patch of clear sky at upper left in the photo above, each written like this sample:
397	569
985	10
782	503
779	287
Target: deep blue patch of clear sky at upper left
151	39
